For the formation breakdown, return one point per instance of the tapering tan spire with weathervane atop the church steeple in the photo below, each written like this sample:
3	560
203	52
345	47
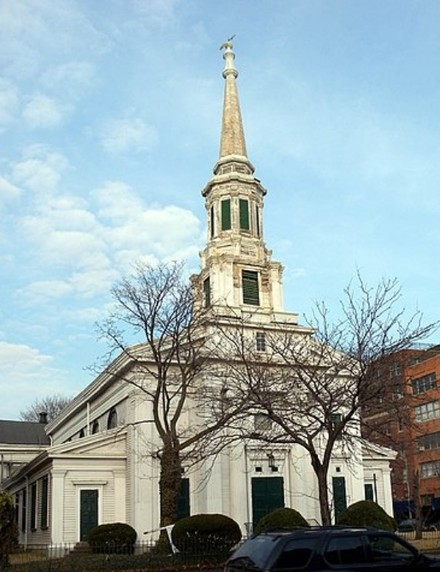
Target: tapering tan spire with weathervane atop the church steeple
232	138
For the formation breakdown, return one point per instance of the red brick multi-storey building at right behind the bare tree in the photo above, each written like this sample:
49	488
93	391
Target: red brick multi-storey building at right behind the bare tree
407	418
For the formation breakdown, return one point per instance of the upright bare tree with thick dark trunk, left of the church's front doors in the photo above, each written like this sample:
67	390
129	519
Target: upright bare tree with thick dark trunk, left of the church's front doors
172	368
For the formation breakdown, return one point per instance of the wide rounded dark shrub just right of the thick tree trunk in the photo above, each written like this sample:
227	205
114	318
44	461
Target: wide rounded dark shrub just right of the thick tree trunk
205	532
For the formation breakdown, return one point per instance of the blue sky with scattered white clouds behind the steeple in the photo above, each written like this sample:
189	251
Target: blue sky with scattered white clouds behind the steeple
109	129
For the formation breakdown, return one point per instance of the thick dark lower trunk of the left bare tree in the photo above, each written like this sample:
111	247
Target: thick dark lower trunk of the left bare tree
169	483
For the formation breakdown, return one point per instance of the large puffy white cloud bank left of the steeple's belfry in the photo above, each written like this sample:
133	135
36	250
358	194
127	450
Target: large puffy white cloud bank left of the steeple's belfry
86	253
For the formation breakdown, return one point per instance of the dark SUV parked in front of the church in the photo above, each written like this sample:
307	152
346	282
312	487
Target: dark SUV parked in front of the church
324	549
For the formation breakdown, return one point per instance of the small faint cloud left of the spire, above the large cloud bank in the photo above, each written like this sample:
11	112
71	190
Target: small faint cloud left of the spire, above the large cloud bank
130	134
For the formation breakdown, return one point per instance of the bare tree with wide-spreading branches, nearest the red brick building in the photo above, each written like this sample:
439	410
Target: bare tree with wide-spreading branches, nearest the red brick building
313	384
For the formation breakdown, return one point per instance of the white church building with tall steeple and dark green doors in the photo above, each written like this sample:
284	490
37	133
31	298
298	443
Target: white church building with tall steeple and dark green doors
96	470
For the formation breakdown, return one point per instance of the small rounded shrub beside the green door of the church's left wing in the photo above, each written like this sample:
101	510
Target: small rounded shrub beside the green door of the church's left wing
112	538
